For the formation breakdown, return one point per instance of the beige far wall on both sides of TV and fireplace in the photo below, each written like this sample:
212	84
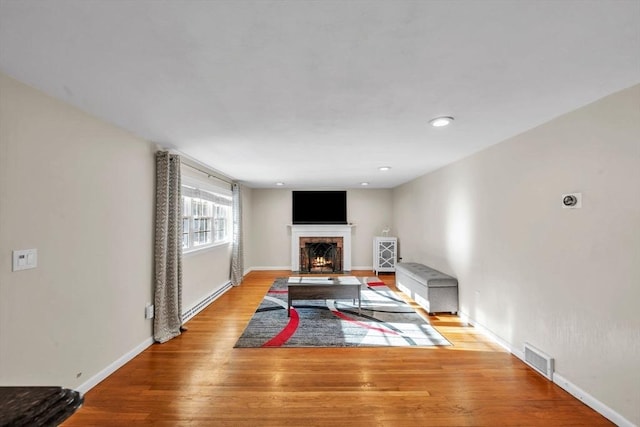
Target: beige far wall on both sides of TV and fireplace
270	240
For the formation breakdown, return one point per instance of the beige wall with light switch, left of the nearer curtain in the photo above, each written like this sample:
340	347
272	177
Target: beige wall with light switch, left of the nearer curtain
81	192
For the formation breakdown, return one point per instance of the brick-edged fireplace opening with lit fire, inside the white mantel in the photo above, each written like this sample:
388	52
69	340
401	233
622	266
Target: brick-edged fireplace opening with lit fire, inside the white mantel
321	254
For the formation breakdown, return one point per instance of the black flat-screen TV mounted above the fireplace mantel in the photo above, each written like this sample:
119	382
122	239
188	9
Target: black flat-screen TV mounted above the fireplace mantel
319	207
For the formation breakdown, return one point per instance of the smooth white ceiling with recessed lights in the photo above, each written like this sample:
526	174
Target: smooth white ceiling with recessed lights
321	93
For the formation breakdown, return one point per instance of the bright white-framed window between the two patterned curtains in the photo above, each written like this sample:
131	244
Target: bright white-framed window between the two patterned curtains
205	218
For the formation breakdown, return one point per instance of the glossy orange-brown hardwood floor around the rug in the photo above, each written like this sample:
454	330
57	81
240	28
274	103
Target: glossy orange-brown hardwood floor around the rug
199	379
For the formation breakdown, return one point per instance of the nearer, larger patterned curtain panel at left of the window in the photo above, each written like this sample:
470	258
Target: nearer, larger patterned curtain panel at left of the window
167	322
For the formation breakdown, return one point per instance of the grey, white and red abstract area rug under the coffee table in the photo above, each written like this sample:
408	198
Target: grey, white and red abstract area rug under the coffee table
385	320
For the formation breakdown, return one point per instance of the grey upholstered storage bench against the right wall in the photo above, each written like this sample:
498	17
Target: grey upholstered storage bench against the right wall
435	291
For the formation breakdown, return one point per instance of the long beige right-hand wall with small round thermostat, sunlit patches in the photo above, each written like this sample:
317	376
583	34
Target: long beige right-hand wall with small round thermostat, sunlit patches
566	281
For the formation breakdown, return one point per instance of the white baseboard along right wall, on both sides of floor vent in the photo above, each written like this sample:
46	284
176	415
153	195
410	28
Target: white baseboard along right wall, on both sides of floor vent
558	379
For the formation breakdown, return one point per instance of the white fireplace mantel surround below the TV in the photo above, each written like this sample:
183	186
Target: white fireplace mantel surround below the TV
321	230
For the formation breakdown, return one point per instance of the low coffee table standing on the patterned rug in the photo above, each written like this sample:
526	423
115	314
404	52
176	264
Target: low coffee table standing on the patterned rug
311	288
